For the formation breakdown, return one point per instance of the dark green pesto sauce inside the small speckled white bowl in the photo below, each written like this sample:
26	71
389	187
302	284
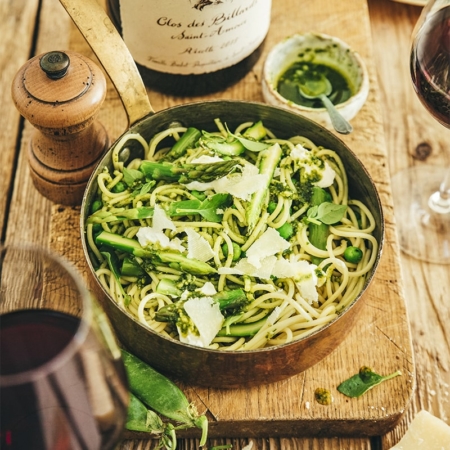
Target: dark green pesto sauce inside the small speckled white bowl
300	71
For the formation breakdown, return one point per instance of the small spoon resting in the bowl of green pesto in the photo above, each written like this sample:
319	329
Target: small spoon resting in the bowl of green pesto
320	88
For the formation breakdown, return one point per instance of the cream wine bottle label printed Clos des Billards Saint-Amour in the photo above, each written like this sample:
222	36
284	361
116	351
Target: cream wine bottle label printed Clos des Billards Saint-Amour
193	36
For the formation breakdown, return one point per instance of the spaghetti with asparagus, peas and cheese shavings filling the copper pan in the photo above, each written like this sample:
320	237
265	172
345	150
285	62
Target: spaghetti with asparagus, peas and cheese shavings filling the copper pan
230	240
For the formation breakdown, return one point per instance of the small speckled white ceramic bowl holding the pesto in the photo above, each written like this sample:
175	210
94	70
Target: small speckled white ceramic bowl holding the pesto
320	49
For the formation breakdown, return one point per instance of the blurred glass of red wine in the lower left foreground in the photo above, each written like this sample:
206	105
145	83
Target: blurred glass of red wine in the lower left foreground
62	381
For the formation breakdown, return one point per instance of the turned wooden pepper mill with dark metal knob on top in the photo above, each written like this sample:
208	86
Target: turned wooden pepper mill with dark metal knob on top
60	93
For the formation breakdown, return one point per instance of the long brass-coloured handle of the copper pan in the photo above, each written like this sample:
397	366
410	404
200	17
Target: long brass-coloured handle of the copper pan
110	49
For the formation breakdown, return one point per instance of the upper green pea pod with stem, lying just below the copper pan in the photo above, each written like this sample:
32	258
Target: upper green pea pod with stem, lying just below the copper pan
162	395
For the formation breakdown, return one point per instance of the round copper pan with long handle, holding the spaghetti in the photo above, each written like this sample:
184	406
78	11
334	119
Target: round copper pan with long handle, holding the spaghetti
191	364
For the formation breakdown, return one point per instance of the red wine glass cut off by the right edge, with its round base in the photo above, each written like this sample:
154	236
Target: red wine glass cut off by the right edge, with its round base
422	193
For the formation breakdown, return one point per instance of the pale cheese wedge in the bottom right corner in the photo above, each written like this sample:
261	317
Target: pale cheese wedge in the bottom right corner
425	432
